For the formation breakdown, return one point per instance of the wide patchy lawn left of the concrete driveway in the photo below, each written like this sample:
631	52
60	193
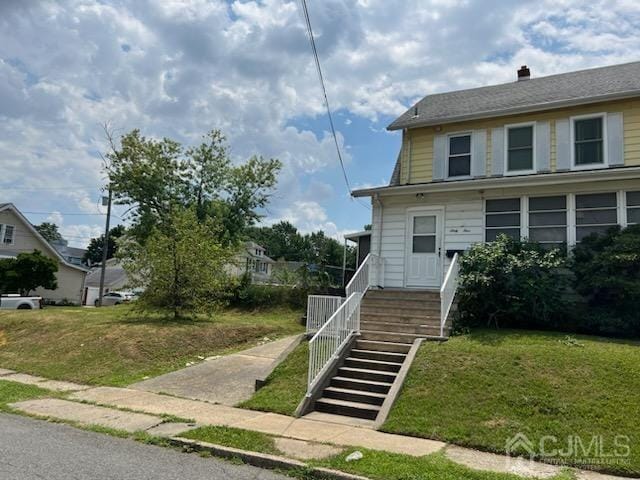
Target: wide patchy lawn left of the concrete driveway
118	345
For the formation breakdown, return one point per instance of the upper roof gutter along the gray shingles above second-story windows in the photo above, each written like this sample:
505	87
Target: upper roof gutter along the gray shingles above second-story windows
397	125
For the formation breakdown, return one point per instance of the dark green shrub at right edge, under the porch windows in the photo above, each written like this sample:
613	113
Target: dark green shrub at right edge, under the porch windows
607	274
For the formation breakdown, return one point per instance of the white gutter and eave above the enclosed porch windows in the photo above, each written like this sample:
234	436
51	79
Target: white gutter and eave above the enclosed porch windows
541	179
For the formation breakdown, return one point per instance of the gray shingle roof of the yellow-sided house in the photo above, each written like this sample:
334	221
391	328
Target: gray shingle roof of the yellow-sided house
554	91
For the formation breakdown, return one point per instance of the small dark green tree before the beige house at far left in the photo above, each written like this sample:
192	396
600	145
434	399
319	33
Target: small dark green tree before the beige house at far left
27	272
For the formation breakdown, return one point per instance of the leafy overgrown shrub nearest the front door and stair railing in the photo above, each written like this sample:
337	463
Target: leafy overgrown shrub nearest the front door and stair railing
509	283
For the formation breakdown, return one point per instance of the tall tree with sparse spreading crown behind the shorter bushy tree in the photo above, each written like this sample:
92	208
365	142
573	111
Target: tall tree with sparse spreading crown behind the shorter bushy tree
154	177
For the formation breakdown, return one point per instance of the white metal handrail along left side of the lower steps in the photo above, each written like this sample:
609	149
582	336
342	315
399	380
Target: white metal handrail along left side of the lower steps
327	343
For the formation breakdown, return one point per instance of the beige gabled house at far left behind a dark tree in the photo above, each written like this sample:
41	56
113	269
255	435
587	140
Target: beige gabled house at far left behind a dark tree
17	235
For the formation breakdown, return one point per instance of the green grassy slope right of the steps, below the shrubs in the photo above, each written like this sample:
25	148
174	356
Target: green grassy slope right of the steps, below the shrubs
480	389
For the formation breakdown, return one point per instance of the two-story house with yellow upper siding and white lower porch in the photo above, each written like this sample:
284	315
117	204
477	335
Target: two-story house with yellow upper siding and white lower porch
551	159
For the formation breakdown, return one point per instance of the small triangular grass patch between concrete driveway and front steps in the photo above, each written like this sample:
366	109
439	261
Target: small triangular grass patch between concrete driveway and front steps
286	385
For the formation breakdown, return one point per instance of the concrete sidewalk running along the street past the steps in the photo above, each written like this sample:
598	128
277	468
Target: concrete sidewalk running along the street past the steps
153	405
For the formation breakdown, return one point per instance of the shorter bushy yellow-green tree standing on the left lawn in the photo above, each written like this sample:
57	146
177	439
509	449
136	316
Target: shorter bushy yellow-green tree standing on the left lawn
181	266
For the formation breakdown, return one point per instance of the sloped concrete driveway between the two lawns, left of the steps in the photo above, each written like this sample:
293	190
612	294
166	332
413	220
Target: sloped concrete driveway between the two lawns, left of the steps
227	380
